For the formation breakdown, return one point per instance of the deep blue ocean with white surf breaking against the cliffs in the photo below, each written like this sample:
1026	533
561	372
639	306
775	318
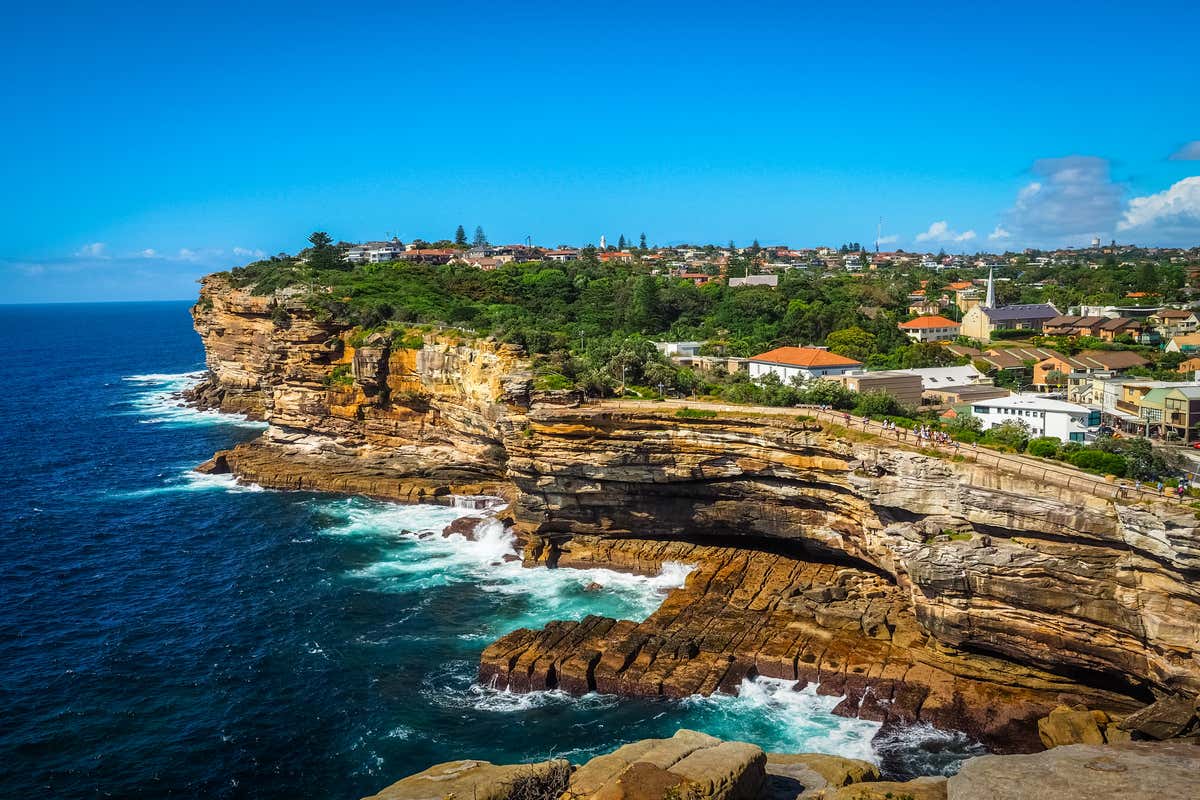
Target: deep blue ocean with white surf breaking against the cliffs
170	634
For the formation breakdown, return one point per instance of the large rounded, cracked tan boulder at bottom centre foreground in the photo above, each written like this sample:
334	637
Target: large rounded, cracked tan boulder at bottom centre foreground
689	765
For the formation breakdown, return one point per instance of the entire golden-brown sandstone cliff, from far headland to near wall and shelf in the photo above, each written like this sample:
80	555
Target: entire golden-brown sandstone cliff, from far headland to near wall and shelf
975	599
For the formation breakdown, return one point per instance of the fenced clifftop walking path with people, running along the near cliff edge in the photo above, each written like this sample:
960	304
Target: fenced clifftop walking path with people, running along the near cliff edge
1023	466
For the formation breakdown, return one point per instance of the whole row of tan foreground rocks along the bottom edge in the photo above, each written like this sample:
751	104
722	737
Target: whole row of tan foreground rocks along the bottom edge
699	767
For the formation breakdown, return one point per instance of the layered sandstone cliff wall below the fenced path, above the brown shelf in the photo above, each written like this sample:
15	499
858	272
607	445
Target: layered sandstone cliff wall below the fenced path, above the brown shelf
989	562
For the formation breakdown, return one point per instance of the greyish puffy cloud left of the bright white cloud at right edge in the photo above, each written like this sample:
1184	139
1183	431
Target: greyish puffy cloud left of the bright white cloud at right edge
1070	201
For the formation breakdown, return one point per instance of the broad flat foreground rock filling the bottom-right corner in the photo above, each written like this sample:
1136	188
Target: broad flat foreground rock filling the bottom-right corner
1130	772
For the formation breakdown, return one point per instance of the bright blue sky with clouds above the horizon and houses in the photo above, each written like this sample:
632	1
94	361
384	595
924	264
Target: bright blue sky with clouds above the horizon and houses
145	148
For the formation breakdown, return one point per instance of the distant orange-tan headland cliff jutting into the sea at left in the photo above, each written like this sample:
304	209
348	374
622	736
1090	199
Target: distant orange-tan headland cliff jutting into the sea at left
401	417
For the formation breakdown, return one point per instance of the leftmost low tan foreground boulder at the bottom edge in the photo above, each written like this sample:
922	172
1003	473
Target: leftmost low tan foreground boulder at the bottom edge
471	780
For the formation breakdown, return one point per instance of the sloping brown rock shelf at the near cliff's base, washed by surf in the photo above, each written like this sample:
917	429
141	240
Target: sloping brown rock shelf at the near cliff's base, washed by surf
746	613
